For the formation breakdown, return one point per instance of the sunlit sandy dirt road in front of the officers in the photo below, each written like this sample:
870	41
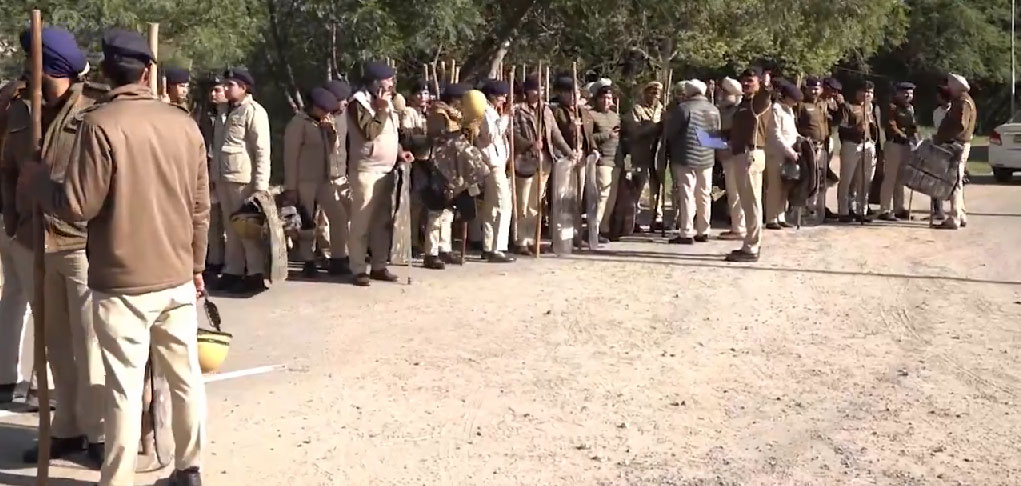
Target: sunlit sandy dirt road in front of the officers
884	355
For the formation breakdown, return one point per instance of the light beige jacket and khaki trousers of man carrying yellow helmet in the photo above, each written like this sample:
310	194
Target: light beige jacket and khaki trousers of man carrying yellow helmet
241	167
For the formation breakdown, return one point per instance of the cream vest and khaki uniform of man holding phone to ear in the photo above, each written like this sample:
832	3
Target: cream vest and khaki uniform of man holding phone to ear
375	149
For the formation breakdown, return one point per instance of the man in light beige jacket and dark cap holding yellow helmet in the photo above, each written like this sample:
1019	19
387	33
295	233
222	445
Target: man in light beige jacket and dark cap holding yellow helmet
241	168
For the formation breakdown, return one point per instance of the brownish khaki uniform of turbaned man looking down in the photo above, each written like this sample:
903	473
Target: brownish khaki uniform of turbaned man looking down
316	169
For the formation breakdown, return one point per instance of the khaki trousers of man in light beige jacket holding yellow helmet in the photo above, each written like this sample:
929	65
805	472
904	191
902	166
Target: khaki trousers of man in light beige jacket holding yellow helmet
244	257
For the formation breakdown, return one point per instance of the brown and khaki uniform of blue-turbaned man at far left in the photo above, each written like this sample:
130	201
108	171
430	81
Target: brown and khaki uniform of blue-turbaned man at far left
70	334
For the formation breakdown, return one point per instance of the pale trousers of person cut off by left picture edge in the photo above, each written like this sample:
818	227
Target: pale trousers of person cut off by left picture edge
16	263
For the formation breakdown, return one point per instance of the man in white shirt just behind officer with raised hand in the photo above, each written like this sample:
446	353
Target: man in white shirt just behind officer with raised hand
783	135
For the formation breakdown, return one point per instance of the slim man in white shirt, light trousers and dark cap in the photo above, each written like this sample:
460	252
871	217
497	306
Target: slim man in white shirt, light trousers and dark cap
497	206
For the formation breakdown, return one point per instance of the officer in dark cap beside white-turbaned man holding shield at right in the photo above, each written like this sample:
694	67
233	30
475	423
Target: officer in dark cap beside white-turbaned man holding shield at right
902	130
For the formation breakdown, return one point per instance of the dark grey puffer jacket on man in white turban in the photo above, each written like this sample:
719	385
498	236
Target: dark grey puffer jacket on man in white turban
680	131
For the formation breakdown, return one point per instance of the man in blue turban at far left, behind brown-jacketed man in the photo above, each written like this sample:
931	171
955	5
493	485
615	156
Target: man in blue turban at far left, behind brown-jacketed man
71	339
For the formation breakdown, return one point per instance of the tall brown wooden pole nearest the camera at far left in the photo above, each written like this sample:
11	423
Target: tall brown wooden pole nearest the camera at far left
39	293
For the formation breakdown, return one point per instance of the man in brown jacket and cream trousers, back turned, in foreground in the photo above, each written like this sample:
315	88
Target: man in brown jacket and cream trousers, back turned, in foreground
148	244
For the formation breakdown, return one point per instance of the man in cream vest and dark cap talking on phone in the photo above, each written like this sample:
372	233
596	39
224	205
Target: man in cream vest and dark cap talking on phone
375	150
